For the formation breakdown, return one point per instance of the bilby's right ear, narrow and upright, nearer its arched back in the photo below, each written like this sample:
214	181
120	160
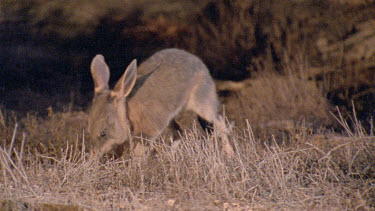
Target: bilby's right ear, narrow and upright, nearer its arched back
126	83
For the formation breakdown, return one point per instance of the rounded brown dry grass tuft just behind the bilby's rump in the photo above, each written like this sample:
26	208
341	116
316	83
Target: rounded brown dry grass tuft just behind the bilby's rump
281	104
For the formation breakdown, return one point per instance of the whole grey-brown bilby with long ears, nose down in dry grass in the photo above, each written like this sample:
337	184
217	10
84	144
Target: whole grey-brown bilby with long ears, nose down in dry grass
170	81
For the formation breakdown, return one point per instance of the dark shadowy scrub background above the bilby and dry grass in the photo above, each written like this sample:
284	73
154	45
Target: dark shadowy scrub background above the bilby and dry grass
46	46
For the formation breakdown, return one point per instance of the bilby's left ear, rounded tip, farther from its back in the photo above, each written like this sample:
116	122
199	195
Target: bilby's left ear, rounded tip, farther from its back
100	73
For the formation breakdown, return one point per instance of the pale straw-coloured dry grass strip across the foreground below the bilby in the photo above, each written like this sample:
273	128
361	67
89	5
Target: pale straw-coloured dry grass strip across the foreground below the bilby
316	171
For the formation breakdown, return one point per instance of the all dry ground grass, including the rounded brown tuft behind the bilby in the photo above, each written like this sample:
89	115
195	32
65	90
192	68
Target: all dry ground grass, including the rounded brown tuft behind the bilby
44	162
